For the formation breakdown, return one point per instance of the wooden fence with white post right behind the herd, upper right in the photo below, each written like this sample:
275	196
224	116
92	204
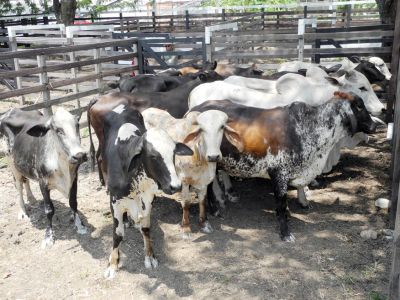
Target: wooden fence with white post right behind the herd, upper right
314	44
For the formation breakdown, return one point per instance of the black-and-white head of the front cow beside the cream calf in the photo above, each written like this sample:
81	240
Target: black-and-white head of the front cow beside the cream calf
158	159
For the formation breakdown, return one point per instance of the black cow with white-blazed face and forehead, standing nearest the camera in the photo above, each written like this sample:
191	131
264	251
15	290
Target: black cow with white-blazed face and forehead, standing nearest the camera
139	163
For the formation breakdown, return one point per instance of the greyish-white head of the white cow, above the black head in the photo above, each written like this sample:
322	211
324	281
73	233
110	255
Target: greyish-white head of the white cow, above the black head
358	84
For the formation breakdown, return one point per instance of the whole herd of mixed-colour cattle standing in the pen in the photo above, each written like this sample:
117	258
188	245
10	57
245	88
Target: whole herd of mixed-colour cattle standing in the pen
169	133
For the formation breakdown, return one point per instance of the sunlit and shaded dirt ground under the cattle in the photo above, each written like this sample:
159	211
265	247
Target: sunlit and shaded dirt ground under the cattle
243	258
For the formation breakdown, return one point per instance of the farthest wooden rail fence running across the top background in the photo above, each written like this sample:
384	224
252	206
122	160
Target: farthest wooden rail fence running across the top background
342	16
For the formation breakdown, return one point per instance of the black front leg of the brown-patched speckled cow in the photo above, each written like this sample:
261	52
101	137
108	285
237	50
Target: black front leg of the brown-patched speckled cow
280	183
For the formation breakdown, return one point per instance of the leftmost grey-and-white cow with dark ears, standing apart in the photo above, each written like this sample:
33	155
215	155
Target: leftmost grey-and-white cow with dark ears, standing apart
47	150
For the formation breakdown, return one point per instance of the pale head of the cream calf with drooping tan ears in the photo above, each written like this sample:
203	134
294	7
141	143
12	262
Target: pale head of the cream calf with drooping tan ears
209	128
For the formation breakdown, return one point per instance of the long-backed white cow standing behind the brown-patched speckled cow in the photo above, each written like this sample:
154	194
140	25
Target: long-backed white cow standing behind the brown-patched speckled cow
290	88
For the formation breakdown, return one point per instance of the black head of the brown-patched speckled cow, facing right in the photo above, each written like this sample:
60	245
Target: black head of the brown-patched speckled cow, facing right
359	120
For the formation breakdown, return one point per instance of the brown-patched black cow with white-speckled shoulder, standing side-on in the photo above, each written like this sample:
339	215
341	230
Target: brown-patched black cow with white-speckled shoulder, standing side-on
289	145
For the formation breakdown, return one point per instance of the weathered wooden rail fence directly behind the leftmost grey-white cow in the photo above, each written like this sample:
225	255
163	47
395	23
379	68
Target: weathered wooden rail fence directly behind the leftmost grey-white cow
88	69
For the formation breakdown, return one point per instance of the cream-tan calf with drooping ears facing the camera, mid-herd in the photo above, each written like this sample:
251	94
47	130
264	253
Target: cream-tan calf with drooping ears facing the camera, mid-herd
202	132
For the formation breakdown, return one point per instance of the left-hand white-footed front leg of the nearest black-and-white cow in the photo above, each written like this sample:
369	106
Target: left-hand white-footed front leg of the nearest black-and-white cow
118	234
